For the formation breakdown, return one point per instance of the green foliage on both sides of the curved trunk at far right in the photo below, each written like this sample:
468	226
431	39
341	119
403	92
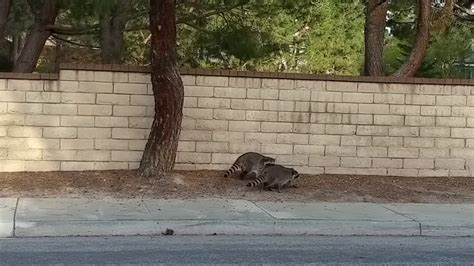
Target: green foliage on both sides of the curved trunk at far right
446	49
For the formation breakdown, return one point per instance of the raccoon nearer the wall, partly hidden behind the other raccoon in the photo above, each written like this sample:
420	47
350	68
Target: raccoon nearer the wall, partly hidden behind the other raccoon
249	164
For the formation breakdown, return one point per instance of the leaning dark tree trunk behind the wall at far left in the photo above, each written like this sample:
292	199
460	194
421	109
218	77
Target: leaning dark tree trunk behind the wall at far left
37	38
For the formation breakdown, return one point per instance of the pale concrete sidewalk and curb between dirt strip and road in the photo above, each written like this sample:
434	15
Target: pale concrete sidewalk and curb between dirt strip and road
27	217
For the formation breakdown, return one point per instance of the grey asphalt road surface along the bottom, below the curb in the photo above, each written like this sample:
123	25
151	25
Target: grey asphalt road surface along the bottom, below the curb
236	249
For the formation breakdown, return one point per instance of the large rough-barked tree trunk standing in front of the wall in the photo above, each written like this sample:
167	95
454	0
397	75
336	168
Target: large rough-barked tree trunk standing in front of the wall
160	151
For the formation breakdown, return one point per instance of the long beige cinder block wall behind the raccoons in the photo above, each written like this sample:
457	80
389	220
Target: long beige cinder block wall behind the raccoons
94	120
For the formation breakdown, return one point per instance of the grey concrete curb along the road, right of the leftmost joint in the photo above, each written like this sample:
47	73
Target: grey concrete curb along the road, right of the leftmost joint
235	227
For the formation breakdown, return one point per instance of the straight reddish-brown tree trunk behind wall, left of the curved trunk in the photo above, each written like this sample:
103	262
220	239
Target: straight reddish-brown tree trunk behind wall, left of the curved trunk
374	37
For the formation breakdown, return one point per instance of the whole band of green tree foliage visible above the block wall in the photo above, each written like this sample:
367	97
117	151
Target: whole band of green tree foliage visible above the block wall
308	36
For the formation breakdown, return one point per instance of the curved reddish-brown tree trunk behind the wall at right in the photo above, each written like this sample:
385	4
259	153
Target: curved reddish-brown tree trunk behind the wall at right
415	60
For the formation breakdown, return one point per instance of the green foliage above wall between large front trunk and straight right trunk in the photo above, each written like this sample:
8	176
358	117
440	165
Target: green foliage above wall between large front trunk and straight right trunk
278	36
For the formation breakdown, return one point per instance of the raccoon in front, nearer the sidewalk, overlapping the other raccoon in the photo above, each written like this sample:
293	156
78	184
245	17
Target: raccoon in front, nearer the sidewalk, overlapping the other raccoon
274	175
